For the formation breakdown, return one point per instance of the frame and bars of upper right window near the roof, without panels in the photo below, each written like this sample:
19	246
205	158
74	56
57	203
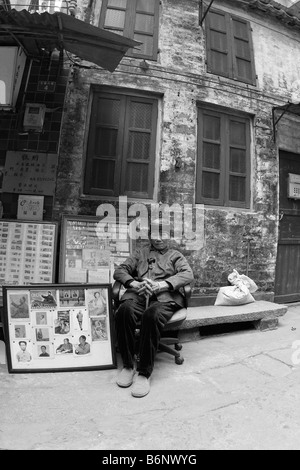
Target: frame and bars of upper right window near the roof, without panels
231	52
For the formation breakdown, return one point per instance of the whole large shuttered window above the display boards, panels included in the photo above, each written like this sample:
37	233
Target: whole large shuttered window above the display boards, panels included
121	146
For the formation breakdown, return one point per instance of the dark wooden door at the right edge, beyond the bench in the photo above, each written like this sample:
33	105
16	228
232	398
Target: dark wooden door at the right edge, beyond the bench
287	277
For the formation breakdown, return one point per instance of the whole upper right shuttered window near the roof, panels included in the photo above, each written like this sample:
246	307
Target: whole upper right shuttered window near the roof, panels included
229	47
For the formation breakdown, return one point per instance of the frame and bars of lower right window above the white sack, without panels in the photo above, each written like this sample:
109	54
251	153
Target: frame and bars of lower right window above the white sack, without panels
226	116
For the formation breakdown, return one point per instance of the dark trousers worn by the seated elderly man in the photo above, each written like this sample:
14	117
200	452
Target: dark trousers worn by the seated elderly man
132	314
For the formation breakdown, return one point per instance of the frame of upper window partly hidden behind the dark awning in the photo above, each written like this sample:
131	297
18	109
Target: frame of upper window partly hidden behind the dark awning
129	30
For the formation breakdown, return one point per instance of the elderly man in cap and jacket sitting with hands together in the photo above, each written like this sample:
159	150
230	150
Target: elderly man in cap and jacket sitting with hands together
152	277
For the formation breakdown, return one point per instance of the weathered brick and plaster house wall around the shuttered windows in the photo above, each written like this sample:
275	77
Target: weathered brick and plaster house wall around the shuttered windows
180	77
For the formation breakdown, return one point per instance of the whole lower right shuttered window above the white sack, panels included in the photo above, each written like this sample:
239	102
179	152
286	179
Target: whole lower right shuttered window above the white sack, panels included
223	165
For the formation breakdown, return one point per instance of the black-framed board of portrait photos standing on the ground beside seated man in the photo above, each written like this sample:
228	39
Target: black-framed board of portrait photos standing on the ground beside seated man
58	327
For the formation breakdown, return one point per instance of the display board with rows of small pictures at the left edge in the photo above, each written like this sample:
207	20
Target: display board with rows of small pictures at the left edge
27	252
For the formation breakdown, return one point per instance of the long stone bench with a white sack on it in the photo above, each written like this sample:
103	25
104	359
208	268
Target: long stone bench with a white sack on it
263	314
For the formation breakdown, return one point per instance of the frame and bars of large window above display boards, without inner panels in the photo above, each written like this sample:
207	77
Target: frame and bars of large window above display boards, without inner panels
127	97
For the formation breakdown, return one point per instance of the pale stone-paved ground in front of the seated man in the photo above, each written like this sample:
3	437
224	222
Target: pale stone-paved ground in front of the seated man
228	394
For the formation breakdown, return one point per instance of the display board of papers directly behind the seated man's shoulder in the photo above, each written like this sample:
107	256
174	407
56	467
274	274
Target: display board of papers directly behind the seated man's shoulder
86	255
